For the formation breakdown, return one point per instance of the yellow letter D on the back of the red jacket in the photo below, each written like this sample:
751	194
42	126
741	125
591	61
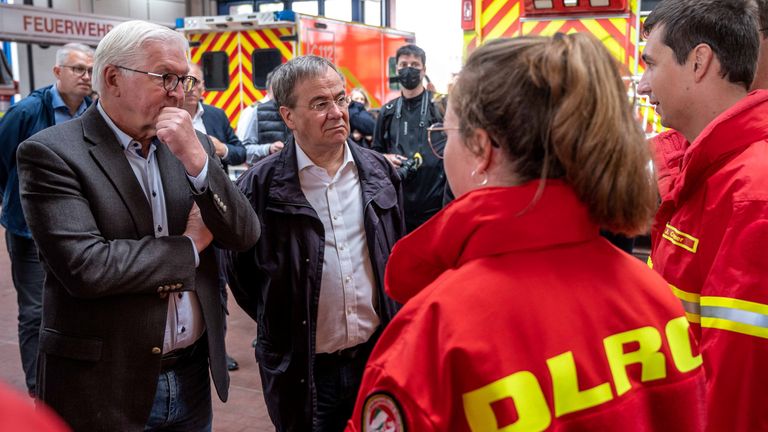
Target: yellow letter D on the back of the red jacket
524	389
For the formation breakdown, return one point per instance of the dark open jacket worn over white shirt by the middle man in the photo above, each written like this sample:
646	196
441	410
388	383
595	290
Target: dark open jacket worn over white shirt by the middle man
278	281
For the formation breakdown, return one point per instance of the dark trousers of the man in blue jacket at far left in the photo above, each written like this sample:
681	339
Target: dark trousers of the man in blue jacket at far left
28	279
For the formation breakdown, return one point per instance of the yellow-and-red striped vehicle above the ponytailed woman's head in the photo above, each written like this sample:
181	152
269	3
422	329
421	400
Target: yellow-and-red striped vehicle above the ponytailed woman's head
617	23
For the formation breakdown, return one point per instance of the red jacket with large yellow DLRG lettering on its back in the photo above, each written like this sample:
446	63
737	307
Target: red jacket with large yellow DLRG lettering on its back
527	318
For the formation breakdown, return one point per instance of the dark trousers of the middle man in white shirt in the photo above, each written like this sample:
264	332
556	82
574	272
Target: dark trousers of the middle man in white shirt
337	380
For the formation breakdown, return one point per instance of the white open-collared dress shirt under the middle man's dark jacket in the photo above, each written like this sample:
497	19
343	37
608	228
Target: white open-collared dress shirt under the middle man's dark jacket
346	313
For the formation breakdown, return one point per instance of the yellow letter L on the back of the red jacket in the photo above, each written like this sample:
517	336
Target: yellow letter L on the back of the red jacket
565	387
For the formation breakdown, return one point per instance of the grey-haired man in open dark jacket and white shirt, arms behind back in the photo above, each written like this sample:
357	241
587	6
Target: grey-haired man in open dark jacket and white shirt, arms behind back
314	282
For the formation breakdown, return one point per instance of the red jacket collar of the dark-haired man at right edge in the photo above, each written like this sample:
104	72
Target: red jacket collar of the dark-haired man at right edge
738	127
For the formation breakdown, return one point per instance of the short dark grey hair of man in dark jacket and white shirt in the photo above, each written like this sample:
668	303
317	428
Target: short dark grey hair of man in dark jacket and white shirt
286	77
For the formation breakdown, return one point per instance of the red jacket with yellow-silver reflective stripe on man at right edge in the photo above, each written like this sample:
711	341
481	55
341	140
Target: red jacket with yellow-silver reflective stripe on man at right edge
710	241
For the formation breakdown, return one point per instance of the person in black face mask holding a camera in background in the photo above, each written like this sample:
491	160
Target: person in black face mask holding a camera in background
401	135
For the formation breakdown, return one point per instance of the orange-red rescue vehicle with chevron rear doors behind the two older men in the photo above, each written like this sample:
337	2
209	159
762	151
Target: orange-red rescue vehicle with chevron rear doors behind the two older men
237	51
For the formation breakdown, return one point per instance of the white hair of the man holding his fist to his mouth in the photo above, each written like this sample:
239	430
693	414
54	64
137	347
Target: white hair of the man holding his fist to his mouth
124	46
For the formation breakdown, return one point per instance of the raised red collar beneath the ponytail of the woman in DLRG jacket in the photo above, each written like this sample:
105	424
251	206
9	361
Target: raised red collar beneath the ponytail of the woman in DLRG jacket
486	222
